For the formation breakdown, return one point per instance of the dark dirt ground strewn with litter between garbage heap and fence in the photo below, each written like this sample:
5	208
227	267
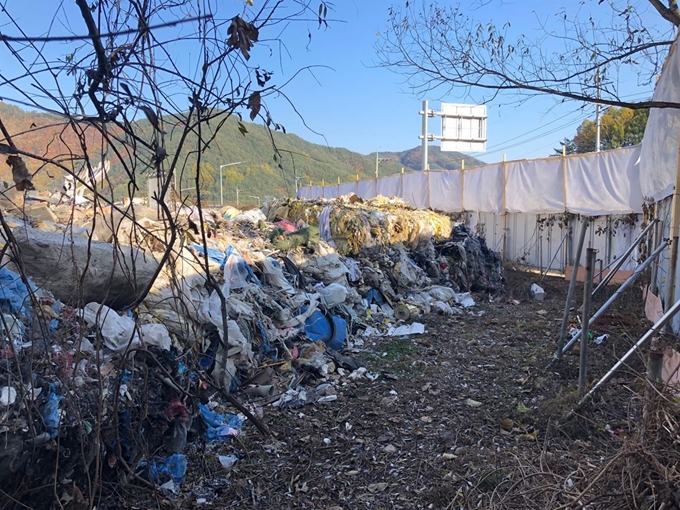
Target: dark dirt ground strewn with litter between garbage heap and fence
467	415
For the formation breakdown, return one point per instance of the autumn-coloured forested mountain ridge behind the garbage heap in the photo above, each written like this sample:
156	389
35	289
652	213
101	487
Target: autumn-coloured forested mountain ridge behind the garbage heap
257	175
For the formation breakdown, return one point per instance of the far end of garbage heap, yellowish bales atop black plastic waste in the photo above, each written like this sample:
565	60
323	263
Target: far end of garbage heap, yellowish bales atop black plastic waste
386	233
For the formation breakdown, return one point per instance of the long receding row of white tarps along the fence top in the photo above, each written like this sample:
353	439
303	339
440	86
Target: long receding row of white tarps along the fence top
593	184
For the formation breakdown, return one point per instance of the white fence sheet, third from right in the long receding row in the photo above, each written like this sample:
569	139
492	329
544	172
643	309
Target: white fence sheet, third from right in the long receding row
484	189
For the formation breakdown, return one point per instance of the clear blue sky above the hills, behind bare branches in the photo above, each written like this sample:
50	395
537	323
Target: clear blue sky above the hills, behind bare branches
353	103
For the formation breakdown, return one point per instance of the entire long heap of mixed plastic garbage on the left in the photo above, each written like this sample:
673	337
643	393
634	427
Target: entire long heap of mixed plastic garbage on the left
263	308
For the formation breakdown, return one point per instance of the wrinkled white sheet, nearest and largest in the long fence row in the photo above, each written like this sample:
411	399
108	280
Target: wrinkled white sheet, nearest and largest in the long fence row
604	183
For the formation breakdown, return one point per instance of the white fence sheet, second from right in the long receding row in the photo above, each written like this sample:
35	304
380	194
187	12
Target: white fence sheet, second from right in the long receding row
534	186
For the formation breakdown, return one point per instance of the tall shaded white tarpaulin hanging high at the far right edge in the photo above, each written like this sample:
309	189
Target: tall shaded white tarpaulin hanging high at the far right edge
659	155
